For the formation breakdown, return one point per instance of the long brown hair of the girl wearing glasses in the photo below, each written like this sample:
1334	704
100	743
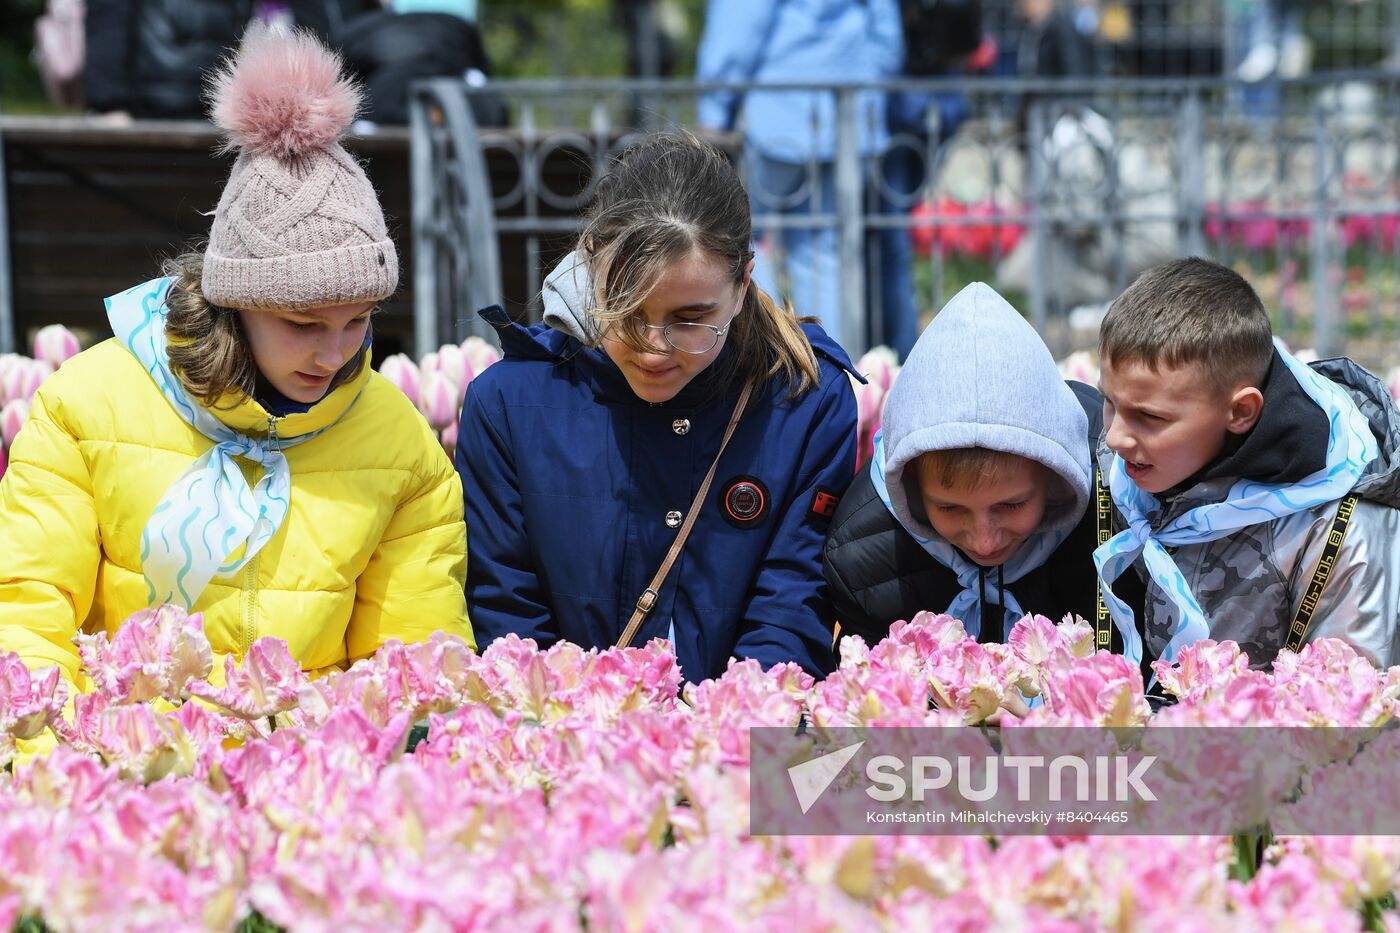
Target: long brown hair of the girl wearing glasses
666	198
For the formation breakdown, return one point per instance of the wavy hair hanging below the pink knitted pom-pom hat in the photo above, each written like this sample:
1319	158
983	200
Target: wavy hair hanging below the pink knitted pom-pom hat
208	350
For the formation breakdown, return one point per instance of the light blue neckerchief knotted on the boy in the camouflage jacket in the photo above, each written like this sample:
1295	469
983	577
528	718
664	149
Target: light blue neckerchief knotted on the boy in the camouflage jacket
1350	448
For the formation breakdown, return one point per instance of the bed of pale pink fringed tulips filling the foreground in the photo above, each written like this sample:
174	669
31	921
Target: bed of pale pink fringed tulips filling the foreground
570	789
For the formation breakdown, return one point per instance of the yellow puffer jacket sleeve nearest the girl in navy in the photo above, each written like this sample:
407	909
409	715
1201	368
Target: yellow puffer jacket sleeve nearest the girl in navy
415	582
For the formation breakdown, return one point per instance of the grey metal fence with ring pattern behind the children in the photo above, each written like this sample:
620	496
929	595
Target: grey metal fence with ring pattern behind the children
1058	194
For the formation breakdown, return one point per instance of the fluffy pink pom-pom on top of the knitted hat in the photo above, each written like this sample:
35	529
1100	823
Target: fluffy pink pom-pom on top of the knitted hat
282	95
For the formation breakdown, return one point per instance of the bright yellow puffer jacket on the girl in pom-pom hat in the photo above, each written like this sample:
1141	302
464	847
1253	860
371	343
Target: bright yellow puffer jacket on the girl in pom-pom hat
373	547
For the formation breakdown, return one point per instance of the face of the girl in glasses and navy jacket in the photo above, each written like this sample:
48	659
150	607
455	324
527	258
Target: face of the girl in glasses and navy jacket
698	289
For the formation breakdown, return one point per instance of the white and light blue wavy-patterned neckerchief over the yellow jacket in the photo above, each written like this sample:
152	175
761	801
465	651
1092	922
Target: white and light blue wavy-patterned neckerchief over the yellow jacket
209	511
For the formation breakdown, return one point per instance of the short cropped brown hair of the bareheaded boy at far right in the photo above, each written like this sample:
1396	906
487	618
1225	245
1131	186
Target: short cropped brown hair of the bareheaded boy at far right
1192	312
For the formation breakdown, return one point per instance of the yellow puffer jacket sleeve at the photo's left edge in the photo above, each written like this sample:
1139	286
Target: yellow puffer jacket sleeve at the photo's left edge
50	540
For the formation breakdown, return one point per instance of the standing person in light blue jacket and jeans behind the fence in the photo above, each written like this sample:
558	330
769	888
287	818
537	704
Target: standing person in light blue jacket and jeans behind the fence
790	135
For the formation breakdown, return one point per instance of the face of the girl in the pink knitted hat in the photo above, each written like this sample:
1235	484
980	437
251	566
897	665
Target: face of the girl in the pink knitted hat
300	352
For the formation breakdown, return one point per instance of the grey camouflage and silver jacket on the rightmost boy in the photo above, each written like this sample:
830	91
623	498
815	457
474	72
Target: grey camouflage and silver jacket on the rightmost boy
1251	583
